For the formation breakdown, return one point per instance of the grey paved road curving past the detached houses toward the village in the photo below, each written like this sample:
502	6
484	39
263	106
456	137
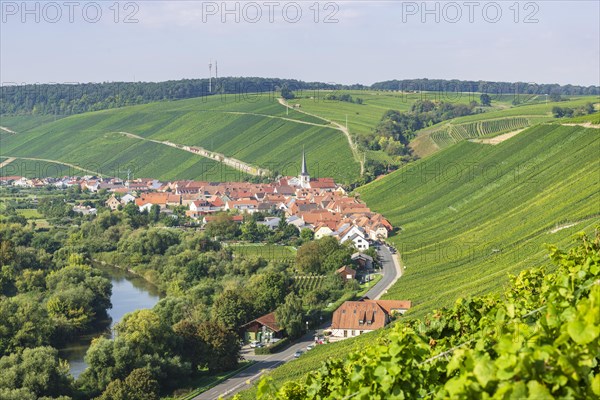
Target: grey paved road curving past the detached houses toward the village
391	272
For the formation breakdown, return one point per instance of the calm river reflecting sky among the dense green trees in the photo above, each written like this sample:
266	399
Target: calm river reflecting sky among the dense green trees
129	293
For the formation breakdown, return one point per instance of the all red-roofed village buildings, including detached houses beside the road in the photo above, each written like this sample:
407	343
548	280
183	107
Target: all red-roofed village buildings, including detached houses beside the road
318	205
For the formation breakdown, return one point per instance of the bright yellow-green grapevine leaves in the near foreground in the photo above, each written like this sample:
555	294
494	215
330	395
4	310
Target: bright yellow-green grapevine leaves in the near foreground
538	341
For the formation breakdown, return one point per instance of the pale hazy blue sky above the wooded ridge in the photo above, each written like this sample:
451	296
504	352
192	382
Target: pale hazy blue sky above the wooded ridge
335	42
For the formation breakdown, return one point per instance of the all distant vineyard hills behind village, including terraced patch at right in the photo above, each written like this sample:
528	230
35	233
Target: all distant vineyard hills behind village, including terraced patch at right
251	133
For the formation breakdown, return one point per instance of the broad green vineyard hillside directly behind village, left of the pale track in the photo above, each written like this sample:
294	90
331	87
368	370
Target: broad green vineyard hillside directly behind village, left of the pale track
256	130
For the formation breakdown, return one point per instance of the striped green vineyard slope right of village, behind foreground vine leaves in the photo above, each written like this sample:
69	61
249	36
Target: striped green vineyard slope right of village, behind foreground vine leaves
474	212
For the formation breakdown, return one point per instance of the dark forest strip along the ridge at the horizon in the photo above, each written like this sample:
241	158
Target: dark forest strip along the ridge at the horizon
74	98
